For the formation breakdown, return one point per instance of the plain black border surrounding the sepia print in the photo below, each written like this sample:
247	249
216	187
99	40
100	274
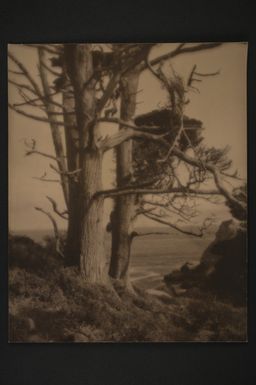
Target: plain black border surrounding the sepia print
128	364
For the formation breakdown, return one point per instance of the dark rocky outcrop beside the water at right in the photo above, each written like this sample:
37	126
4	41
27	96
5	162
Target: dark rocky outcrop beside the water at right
222	268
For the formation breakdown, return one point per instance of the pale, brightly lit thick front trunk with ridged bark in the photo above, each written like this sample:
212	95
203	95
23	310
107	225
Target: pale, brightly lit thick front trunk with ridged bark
92	257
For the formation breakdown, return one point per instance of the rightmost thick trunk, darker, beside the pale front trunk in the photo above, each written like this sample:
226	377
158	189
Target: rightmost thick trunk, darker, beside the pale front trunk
124	209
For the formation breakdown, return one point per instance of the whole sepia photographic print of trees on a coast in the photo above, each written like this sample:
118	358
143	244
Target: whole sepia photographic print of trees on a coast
127	192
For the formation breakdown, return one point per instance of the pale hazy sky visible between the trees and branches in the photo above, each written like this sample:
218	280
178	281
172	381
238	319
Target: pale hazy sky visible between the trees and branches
221	105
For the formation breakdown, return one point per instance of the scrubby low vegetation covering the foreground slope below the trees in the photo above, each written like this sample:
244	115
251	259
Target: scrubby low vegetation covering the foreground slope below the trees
49	302
